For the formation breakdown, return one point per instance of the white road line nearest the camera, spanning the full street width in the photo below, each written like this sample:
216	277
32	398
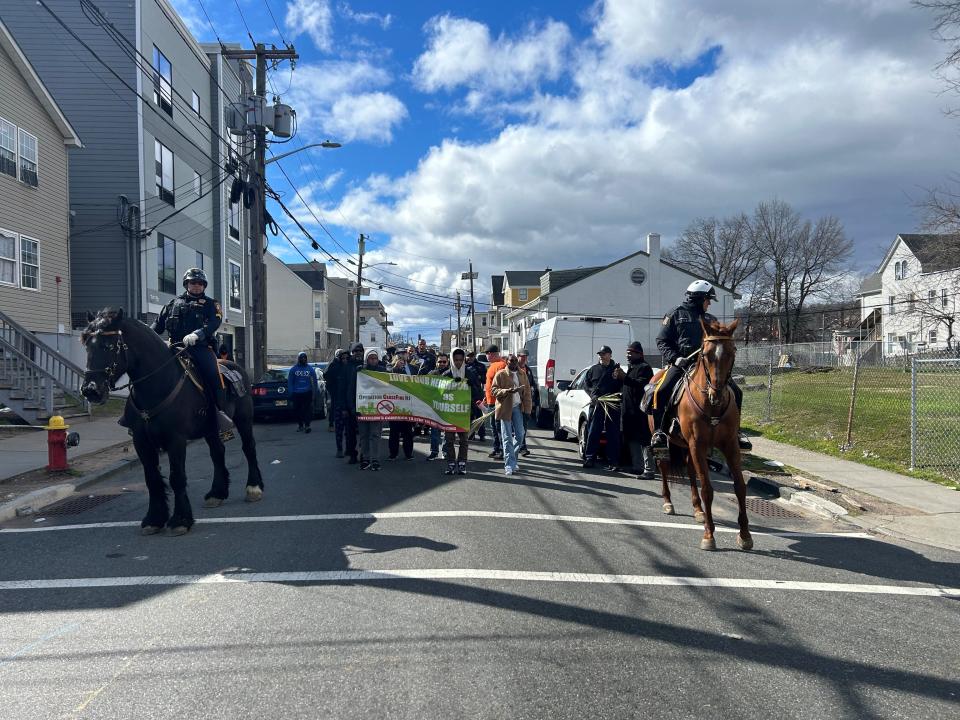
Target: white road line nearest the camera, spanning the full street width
355	576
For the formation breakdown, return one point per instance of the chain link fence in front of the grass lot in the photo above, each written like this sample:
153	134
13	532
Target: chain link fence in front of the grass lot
866	399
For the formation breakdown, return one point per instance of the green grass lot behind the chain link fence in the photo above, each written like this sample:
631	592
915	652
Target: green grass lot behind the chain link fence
810	409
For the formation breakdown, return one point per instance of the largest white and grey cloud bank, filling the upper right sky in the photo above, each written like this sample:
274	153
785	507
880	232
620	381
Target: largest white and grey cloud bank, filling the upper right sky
829	105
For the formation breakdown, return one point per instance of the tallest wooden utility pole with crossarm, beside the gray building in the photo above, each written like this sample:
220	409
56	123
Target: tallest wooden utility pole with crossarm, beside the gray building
258	271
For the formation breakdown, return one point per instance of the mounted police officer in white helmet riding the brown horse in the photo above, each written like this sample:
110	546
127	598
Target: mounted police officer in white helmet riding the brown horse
680	337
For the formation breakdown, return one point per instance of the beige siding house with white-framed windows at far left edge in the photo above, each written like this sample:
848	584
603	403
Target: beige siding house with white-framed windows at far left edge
34	201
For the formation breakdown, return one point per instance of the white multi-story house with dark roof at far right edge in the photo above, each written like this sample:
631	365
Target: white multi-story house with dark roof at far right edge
911	301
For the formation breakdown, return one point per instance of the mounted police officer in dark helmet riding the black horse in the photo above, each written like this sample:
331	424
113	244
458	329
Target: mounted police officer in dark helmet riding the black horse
192	319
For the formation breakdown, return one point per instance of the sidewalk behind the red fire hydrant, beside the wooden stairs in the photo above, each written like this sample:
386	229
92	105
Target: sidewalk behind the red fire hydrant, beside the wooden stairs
27	450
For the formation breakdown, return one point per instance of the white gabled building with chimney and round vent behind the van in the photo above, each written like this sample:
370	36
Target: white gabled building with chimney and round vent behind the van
641	288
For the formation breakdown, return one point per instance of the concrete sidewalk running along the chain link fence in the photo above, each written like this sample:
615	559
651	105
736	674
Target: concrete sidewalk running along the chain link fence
937	507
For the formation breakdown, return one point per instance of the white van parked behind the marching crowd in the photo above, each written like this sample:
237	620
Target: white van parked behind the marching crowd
562	346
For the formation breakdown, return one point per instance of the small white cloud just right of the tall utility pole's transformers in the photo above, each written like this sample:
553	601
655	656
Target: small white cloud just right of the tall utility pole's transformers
345	101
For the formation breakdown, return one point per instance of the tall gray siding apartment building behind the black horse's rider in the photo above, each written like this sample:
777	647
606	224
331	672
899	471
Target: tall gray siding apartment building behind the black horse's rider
150	193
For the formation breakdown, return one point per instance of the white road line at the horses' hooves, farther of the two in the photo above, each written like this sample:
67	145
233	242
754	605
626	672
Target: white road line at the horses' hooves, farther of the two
445	514
